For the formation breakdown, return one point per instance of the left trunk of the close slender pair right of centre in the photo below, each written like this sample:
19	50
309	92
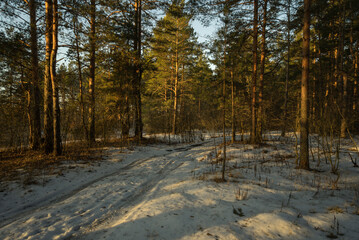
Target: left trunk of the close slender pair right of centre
254	138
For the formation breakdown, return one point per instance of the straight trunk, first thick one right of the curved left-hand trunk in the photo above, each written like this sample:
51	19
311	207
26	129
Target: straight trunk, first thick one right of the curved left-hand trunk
92	72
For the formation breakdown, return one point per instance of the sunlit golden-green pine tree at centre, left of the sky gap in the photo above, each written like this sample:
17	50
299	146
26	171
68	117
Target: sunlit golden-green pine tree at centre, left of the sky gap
172	46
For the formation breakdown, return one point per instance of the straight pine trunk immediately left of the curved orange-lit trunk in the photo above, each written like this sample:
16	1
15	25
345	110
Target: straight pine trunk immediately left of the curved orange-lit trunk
48	105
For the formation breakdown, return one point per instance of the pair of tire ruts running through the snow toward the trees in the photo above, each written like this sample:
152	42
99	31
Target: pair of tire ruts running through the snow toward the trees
126	201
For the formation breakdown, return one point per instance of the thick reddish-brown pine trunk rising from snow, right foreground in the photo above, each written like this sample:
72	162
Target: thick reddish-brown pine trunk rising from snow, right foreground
304	125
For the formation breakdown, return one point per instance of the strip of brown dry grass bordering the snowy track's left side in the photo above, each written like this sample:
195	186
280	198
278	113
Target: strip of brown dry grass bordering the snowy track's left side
25	164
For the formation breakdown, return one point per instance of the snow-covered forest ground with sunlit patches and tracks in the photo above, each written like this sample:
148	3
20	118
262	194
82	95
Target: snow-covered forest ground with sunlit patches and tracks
161	191
